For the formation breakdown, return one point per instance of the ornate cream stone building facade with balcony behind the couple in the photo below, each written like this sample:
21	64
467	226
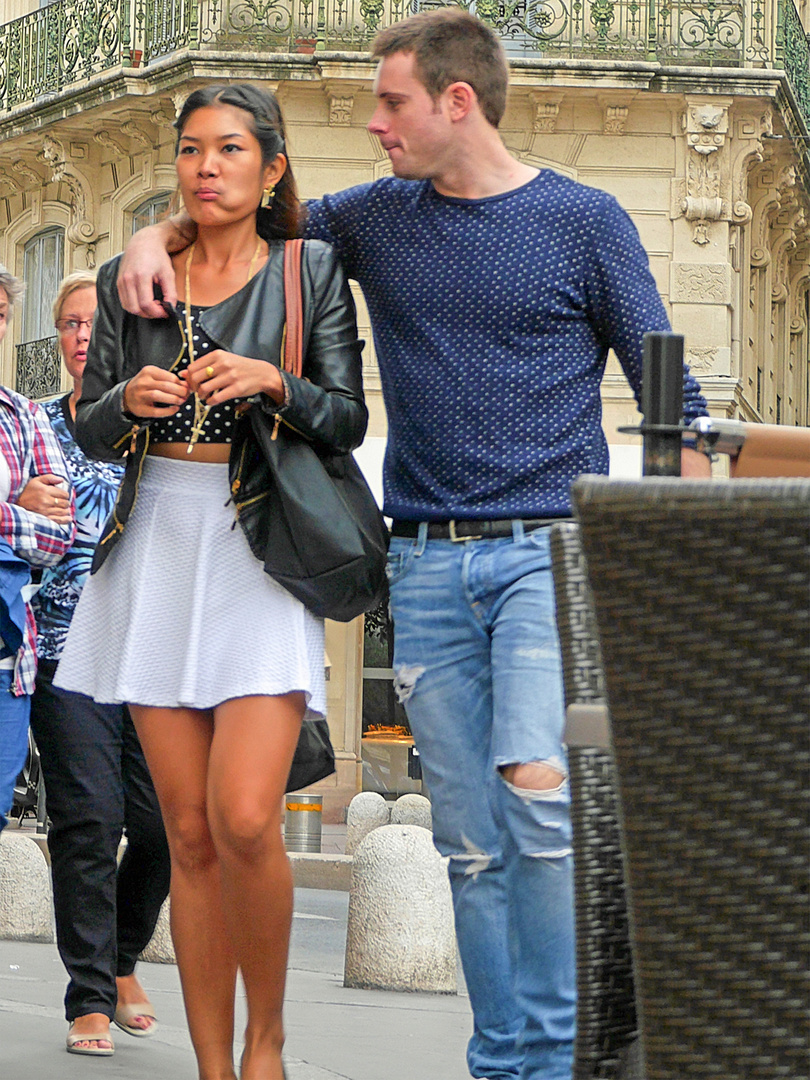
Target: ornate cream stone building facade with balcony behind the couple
697	117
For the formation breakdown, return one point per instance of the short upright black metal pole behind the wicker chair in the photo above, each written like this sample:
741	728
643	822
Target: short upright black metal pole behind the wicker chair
663	402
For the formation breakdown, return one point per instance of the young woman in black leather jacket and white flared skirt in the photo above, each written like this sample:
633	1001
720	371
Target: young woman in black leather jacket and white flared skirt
218	663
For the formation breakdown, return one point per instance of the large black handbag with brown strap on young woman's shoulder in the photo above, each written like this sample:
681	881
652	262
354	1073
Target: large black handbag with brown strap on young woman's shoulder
309	516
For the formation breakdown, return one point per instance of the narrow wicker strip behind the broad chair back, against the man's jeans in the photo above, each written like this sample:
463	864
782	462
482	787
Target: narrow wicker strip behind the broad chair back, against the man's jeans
606	1018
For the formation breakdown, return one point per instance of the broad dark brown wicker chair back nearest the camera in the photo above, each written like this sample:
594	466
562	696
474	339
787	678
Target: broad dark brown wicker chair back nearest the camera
701	592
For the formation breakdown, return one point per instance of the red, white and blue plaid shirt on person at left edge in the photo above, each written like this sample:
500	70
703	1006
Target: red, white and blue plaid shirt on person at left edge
31	449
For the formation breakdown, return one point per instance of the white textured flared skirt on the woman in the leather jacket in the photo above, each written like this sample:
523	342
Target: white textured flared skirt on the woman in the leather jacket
182	614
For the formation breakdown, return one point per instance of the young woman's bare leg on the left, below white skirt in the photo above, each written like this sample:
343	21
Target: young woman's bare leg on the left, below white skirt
178	746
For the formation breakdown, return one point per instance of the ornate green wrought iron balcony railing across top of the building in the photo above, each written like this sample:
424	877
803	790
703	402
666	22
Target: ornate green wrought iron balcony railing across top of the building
71	40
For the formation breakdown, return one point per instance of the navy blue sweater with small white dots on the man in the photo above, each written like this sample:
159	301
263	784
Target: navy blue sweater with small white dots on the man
493	319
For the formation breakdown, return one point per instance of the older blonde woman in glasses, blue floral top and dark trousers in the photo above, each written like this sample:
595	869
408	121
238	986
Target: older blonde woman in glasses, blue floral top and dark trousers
96	774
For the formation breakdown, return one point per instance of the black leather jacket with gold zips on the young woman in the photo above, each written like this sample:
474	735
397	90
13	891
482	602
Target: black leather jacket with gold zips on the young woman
326	406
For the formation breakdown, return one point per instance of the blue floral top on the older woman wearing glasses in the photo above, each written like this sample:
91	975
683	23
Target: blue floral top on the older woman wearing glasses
97	485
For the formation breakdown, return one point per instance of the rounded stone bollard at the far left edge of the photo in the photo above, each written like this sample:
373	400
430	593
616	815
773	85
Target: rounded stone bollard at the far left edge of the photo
26	909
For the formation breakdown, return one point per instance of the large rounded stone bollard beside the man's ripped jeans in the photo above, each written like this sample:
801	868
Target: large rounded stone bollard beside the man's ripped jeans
401	929
